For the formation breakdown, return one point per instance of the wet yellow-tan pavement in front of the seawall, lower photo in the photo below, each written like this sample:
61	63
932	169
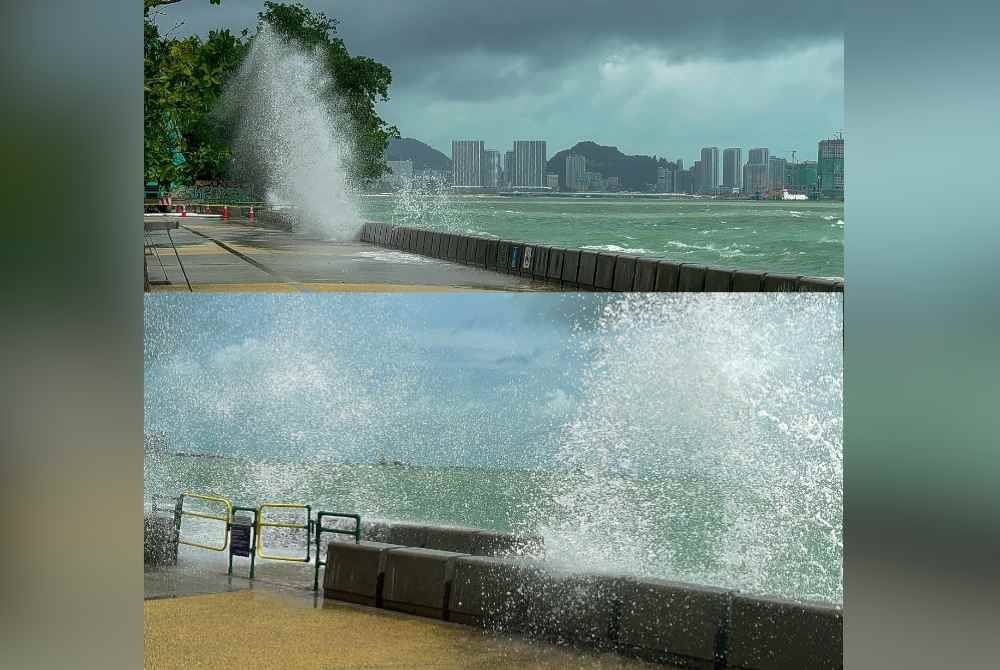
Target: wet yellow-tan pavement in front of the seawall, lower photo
197	616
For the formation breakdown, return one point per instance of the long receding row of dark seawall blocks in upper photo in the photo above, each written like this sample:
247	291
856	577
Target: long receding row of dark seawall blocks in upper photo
582	269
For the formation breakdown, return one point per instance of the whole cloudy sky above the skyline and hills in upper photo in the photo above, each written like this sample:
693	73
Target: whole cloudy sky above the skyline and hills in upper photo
648	76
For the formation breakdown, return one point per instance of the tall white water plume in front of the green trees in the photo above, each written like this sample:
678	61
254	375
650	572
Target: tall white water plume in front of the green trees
293	136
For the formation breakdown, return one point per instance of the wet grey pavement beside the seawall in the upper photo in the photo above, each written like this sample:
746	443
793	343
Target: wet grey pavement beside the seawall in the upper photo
217	255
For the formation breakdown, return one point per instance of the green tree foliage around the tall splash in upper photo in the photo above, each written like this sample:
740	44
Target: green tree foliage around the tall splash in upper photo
185	79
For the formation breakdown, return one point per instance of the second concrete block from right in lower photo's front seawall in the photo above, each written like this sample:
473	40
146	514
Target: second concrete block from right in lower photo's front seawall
671	621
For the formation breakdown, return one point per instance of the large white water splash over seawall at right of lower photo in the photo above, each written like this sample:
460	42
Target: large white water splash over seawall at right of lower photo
708	446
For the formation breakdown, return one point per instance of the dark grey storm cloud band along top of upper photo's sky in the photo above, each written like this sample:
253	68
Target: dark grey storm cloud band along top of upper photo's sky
477	49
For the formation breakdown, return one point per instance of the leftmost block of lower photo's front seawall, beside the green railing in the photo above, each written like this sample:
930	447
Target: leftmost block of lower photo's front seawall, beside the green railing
354	572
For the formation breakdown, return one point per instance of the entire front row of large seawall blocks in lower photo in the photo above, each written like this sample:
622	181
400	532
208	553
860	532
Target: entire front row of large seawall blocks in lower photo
658	620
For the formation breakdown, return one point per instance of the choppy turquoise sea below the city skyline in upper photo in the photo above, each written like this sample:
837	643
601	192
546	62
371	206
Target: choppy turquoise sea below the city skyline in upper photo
796	237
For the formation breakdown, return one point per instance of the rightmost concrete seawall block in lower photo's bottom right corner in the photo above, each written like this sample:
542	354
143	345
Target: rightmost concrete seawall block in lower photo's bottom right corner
768	634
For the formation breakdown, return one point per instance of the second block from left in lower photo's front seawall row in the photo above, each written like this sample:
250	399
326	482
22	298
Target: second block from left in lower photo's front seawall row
418	581
